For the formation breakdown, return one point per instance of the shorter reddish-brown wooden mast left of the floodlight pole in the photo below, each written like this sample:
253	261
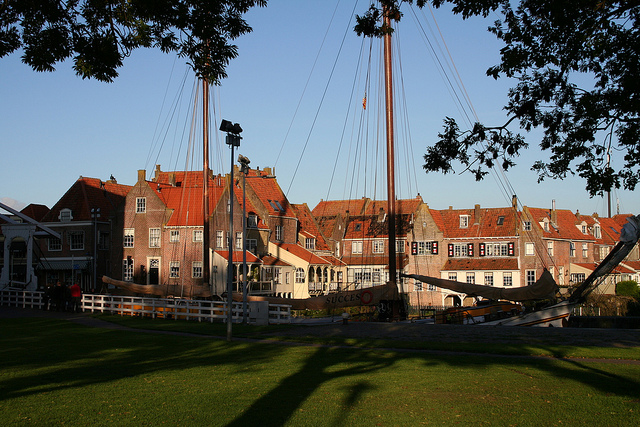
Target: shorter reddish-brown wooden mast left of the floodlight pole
205	182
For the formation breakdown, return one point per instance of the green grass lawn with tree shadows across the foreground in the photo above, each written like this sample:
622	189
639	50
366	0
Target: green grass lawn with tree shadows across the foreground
53	372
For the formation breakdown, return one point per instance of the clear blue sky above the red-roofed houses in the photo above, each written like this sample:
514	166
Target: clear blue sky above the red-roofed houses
299	118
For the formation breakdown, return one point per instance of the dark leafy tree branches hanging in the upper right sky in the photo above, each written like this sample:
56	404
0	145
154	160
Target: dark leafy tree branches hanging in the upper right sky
577	67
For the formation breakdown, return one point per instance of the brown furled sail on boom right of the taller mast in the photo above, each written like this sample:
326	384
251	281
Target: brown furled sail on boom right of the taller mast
544	287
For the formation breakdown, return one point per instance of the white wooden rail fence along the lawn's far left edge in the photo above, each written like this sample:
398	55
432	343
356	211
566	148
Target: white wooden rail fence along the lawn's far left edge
167	308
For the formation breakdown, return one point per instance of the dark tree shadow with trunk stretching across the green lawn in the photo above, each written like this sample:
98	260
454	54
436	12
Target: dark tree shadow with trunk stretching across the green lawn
108	355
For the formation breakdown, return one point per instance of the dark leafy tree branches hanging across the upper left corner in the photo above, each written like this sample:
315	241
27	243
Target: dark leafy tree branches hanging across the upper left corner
99	34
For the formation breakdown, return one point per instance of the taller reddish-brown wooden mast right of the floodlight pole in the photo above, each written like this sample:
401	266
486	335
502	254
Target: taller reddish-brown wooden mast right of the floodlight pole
391	192
